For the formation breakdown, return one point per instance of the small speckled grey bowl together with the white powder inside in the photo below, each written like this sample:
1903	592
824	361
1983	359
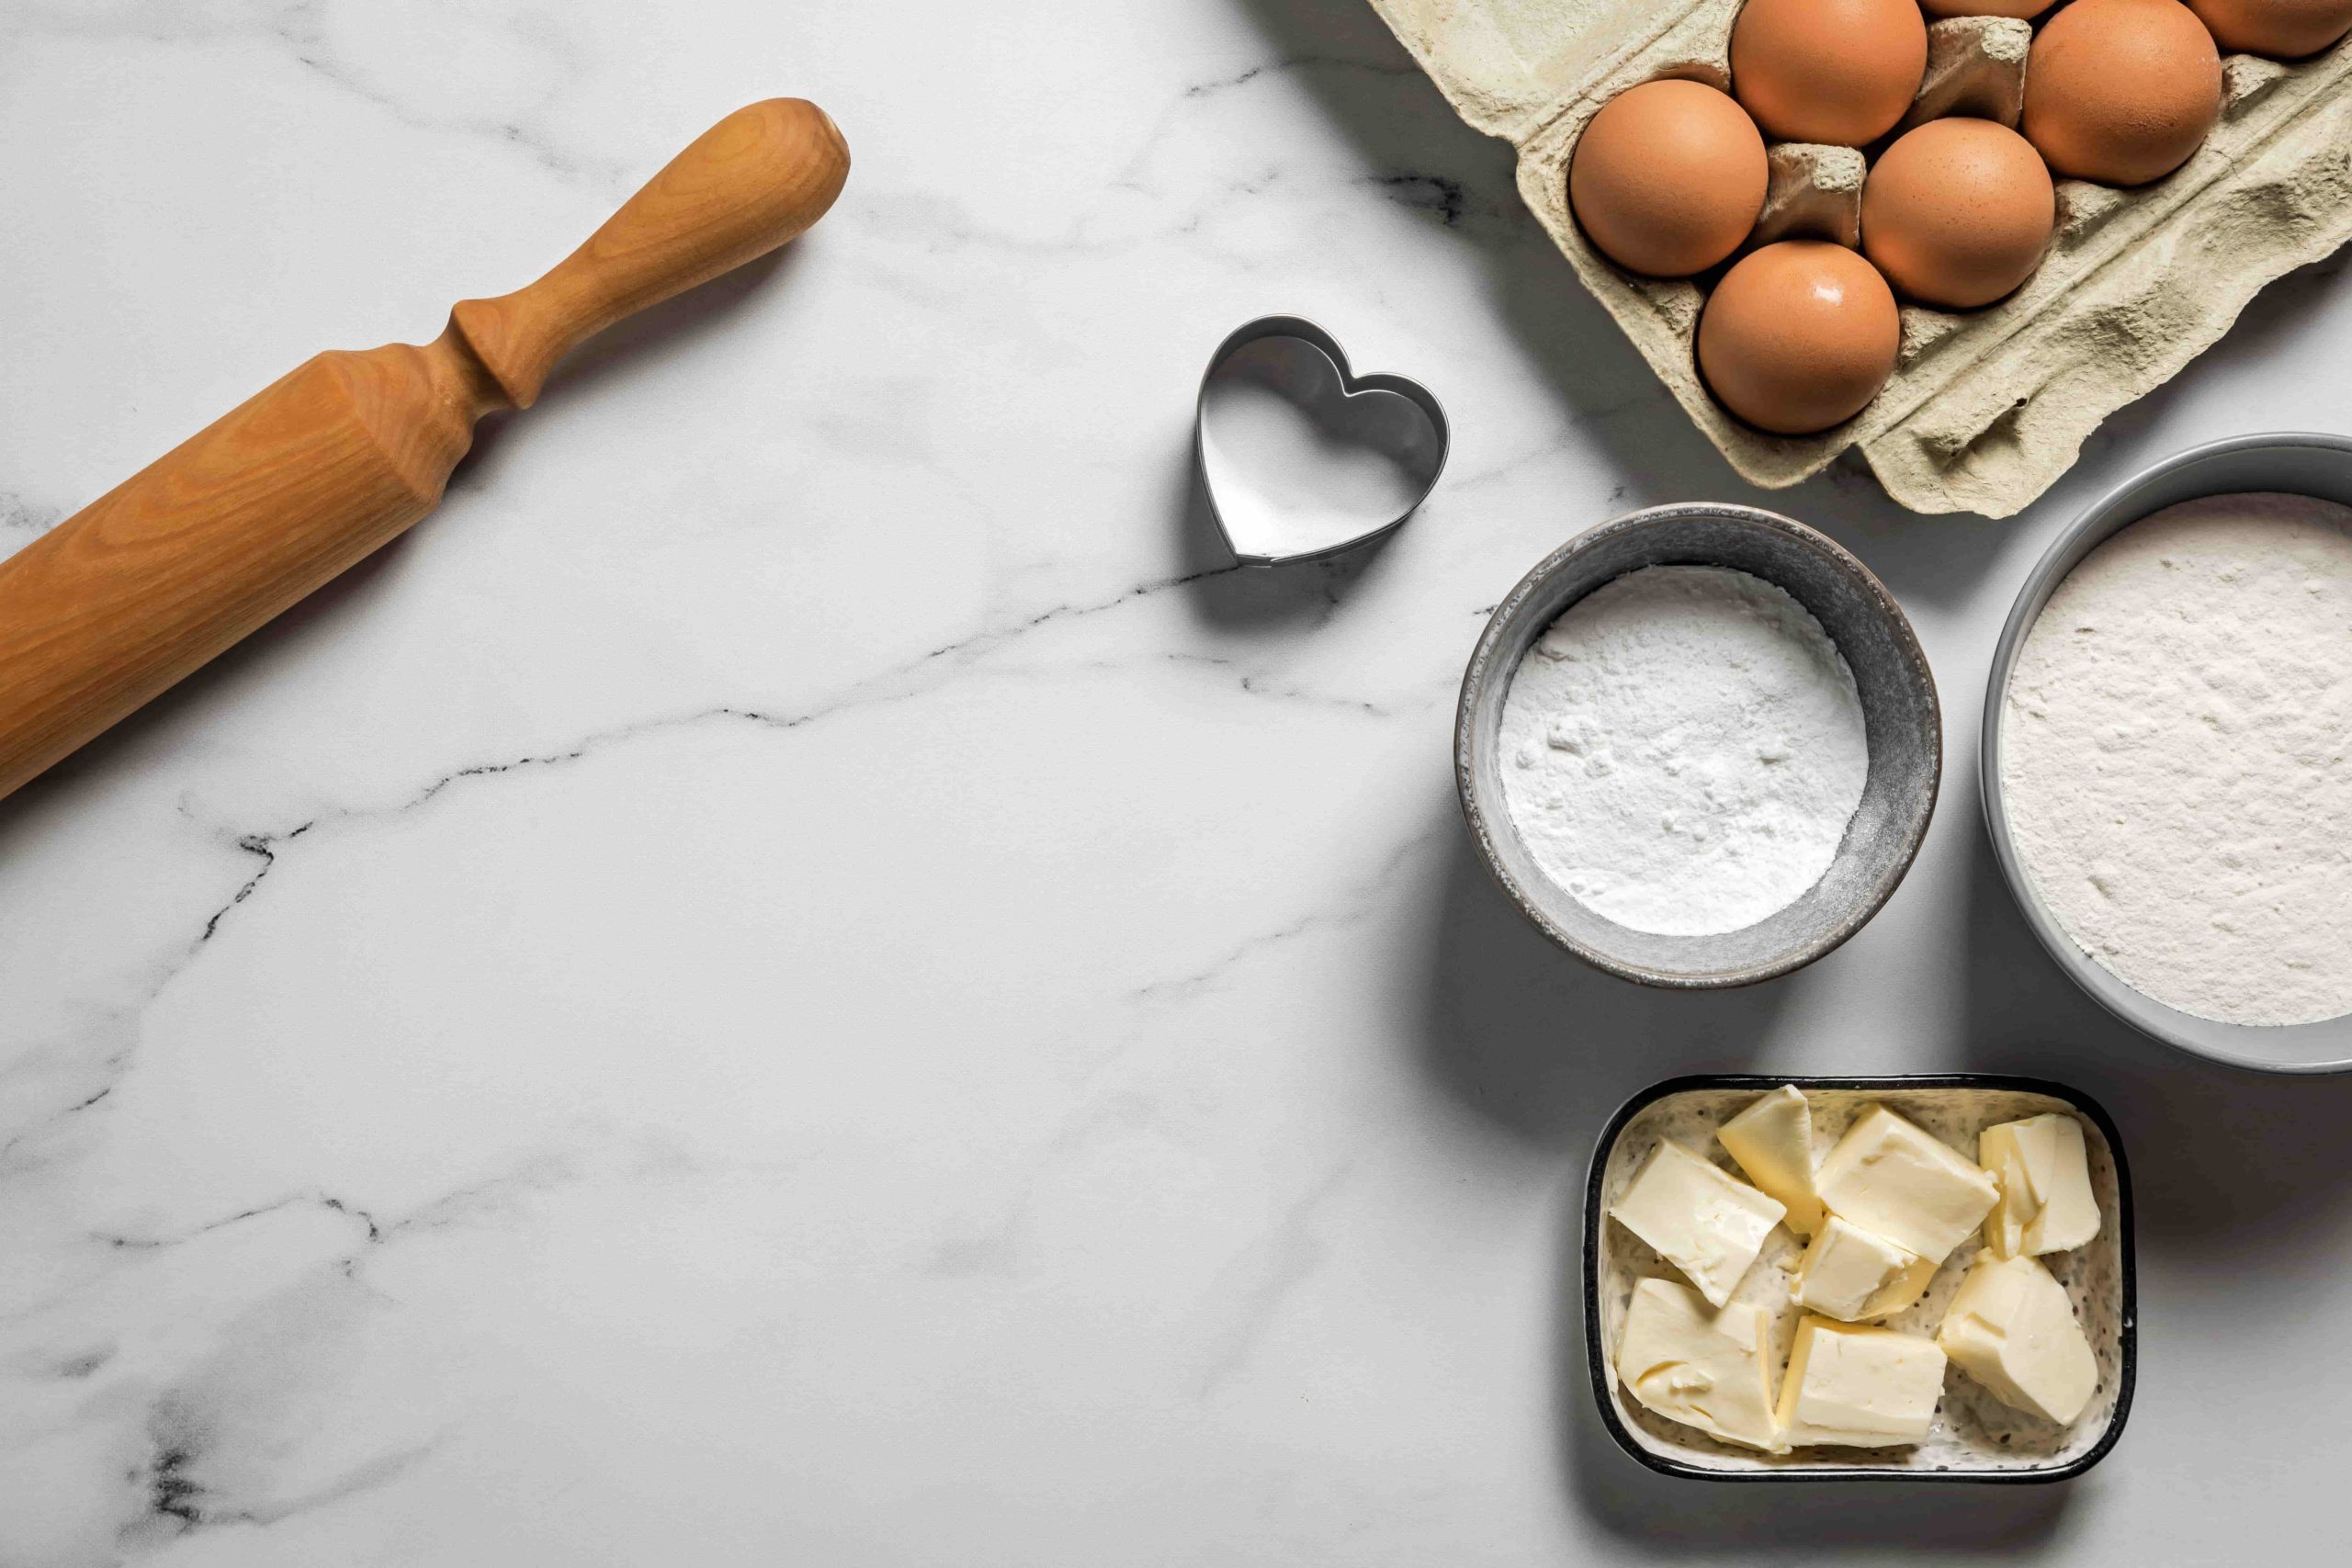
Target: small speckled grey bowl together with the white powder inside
1765	866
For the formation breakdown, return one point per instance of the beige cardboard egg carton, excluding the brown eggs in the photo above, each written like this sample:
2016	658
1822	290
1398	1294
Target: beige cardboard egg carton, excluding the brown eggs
1986	408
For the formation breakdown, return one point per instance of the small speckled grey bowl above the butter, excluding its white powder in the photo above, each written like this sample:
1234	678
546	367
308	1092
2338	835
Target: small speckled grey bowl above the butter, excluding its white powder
1899	709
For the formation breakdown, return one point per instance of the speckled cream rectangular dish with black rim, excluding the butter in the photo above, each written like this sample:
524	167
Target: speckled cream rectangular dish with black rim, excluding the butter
1977	1440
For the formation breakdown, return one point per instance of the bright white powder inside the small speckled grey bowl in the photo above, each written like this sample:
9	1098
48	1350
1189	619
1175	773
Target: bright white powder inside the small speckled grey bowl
1683	751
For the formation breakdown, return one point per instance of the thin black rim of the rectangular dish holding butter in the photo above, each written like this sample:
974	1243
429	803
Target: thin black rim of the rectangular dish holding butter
2127	1336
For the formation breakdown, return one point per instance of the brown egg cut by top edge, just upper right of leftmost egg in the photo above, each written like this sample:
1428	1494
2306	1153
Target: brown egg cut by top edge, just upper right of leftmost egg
1836	72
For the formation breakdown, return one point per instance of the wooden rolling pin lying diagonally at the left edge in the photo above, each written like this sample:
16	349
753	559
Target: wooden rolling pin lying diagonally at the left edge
295	485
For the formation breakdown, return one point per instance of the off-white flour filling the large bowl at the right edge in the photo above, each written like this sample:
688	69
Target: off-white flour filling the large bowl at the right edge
2174	756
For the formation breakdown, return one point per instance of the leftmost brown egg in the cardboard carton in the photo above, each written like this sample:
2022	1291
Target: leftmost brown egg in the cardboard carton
1669	177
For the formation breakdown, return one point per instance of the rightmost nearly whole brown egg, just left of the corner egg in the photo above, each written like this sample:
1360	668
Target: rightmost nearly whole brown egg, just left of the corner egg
2120	91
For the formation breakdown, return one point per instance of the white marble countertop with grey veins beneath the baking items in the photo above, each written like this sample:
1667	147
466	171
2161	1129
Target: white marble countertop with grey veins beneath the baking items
808	974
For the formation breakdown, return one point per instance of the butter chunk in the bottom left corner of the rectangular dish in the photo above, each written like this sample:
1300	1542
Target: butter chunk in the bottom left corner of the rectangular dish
1702	1367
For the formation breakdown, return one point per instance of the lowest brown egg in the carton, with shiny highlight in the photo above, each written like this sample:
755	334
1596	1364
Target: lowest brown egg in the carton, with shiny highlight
1798	337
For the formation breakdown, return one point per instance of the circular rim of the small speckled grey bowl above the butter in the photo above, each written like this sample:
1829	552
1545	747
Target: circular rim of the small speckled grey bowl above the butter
1485	666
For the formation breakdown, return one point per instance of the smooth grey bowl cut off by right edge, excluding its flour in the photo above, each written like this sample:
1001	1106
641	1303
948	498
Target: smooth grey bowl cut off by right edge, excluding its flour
2297	464
